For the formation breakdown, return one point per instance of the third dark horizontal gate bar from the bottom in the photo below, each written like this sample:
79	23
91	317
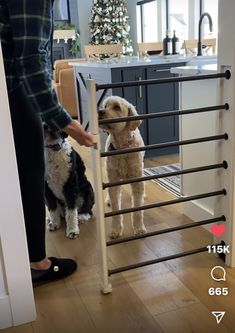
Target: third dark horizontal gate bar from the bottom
166	203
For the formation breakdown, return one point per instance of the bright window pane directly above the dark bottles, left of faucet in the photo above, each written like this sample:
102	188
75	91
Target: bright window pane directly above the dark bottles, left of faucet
178	17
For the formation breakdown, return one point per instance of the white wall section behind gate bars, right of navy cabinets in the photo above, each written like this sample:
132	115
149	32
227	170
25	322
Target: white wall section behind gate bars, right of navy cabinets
196	94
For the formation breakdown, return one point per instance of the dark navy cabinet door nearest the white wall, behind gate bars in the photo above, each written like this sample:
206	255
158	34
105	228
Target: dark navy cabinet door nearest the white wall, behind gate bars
161	98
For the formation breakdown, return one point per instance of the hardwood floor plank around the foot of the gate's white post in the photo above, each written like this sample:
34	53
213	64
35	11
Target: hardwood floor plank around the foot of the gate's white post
121	311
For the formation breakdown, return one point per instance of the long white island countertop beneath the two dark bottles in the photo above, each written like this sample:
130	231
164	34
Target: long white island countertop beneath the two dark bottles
126	61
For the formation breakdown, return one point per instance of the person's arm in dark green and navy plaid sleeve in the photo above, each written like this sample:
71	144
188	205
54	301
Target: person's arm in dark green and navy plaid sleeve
31	23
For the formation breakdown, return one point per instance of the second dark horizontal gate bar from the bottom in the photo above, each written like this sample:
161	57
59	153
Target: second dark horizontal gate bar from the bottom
164	231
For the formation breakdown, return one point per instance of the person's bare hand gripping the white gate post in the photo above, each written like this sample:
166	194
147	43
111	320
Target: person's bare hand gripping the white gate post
76	131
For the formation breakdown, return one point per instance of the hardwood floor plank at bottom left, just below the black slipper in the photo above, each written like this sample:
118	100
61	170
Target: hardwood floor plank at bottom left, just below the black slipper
60	309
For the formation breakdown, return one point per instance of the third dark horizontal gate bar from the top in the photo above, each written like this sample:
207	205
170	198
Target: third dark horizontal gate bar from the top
164	145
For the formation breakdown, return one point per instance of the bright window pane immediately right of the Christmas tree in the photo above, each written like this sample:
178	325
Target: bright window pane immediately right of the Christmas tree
147	21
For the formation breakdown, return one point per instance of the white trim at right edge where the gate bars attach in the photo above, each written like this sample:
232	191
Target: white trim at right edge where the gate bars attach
226	57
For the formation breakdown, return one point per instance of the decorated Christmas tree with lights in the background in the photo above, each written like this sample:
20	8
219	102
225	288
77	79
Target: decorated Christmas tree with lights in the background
109	24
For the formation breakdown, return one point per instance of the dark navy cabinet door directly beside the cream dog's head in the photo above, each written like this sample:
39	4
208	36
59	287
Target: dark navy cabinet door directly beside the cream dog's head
136	95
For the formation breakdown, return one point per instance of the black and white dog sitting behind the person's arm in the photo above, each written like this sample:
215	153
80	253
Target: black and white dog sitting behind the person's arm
68	193
